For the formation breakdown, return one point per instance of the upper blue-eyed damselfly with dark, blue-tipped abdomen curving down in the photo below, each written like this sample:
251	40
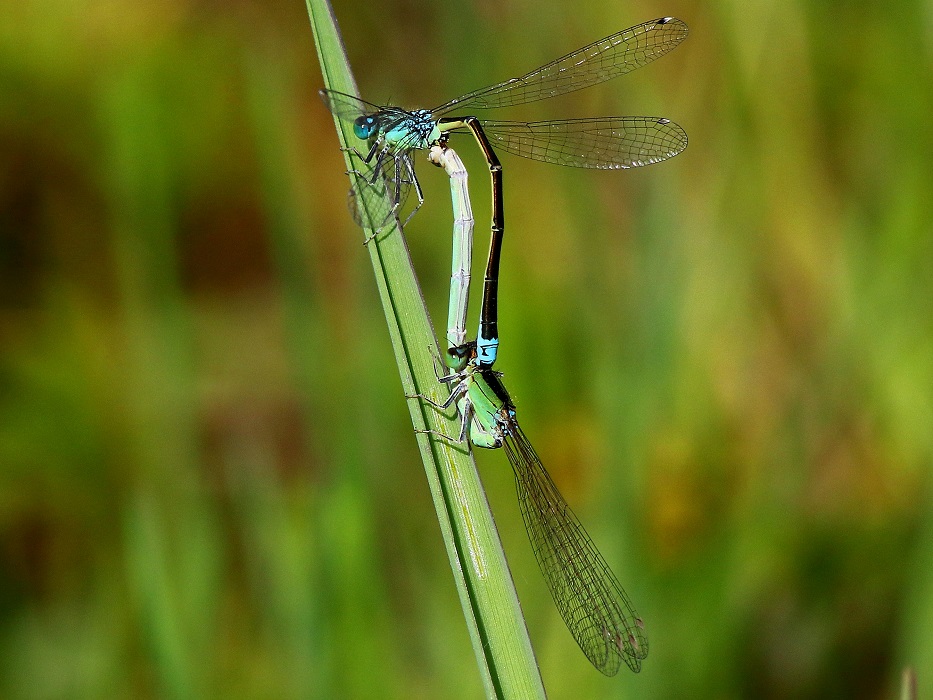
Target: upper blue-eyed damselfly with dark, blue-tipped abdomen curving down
386	173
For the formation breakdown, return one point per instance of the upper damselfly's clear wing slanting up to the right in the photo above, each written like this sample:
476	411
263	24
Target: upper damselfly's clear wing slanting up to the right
605	59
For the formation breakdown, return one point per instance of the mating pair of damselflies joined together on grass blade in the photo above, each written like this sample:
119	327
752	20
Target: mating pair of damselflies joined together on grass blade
590	599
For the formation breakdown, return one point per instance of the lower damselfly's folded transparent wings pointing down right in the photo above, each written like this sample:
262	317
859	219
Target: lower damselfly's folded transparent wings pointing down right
597	611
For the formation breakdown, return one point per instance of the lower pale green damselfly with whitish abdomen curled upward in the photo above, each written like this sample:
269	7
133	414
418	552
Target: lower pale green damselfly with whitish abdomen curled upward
590	599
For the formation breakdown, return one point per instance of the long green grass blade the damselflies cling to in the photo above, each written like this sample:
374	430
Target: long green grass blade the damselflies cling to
490	604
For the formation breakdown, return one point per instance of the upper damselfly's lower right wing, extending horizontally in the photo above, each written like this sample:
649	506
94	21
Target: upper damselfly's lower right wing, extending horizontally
606	143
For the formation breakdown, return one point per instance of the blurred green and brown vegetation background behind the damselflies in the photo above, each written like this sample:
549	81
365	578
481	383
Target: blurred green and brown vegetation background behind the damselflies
208	481
